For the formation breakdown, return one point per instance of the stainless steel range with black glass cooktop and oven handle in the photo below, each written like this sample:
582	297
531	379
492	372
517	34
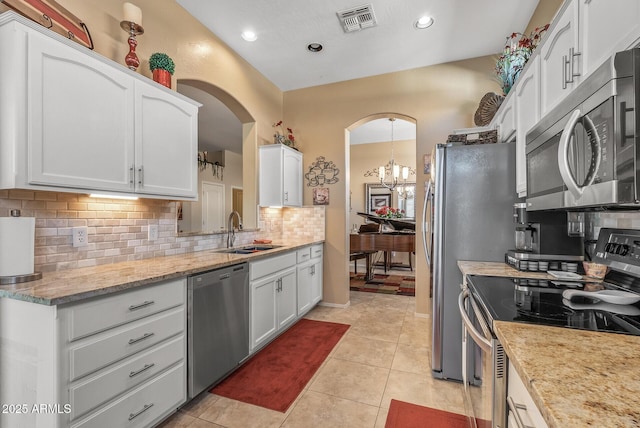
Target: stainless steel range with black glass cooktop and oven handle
548	302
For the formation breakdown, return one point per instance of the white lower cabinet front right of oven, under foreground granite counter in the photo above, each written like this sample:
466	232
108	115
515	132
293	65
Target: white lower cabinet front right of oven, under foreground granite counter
523	412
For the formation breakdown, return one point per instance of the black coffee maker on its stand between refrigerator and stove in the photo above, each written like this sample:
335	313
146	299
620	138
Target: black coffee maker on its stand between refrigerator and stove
546	240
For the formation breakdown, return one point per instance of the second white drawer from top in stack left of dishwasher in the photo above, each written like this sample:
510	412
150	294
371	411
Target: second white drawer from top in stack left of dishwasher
101	350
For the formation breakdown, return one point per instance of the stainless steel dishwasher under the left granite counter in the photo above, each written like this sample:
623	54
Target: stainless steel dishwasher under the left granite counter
218	325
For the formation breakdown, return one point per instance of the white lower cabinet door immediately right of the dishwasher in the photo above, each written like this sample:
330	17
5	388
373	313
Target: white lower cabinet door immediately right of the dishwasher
263	310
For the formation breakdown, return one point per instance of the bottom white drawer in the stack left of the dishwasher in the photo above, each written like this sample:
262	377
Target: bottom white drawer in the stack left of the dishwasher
145	405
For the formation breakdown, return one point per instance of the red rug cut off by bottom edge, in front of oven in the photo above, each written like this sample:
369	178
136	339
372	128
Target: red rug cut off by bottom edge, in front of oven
407	415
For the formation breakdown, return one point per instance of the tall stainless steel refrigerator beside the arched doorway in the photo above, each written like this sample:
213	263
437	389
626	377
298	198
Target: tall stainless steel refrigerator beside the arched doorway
473	196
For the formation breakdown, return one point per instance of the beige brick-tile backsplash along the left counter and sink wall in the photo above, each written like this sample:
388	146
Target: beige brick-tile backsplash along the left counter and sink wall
118	229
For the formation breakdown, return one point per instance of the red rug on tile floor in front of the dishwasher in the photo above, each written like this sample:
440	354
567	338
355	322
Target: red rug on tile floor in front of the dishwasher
275	376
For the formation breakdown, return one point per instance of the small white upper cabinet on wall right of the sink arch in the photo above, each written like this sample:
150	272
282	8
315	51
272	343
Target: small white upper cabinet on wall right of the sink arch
280	174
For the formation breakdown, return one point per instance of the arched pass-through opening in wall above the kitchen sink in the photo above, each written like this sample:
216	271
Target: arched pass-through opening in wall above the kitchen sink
226	133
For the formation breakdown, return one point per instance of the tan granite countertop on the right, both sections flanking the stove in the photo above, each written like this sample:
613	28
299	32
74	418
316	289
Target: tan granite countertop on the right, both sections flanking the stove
577	378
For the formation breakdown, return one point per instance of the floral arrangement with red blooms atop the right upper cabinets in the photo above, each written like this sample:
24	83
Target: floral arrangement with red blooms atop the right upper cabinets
515	55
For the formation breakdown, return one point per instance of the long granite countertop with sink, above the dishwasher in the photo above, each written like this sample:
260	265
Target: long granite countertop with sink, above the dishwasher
71	285
